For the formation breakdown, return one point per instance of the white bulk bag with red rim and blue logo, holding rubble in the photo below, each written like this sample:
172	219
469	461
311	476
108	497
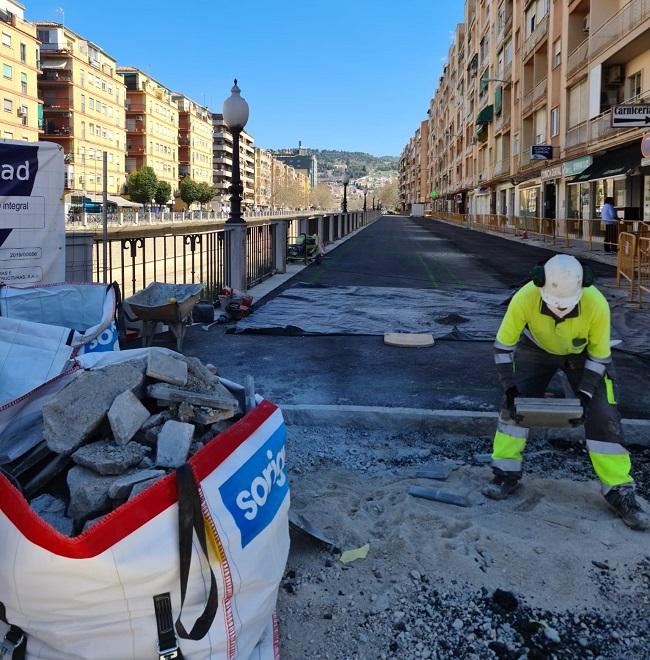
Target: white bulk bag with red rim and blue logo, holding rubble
92	596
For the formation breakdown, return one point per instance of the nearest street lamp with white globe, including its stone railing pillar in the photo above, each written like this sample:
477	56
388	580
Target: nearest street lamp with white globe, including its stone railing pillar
235	116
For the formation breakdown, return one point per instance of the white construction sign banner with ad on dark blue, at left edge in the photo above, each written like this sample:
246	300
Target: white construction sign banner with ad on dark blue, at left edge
32	225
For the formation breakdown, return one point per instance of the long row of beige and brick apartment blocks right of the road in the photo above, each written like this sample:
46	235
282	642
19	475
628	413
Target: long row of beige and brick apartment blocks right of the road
521	120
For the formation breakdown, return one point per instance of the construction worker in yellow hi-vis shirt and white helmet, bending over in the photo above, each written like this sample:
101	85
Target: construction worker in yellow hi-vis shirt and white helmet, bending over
565	323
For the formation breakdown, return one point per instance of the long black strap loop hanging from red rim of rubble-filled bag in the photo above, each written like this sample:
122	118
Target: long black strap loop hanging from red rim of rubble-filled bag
190	520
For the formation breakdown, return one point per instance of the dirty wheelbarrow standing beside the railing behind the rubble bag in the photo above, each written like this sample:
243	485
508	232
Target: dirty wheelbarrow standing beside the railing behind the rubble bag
171	304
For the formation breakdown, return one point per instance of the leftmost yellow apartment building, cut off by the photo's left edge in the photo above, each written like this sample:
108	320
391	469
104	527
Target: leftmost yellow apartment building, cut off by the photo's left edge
22	110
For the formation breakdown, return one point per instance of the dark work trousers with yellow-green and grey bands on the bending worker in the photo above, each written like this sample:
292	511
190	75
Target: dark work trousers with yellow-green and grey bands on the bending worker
534	369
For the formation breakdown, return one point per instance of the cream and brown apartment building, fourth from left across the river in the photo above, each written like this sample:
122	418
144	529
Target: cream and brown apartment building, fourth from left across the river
194	140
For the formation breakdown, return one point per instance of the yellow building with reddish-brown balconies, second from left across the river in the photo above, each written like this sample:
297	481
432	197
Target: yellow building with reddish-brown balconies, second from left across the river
83	108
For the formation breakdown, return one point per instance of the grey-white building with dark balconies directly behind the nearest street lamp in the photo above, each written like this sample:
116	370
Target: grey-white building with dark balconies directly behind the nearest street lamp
222	151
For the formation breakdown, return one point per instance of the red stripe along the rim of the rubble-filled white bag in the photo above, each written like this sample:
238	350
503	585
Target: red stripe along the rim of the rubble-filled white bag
133	514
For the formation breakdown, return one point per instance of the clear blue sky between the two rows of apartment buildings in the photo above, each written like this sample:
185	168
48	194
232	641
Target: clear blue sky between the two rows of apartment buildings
336	74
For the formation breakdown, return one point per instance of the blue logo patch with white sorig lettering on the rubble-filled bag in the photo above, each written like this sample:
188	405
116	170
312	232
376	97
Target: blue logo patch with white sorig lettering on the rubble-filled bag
255	492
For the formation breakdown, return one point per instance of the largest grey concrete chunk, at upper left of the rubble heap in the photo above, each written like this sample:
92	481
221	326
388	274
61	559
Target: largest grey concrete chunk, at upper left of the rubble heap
75	413
